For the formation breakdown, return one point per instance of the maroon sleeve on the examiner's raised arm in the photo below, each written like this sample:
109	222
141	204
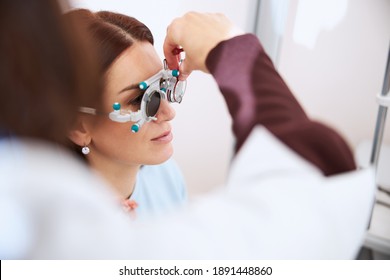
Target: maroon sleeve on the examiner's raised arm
256	95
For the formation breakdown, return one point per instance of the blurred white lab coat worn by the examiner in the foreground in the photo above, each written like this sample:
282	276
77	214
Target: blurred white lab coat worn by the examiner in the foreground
275	205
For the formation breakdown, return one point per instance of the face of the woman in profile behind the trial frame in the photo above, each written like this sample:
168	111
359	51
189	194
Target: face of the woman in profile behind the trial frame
113	141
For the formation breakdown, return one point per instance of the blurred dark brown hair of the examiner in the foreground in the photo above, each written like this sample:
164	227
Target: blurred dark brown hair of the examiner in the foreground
47	70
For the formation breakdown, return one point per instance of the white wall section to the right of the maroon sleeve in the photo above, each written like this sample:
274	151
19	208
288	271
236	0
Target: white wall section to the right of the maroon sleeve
333	56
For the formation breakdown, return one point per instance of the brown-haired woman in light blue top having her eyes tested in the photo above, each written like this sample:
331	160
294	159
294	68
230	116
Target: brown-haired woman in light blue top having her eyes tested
137	165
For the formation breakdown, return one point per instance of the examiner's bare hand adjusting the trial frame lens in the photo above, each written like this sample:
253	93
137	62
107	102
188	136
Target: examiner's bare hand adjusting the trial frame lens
197	34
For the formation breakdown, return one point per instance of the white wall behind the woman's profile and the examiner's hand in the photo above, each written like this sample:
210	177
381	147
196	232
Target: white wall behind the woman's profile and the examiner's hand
203	140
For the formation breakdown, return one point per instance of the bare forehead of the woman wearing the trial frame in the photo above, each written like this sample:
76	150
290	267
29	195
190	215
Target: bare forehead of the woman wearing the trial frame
135	64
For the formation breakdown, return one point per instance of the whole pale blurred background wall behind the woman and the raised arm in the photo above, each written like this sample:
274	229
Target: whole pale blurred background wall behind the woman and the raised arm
331	53
